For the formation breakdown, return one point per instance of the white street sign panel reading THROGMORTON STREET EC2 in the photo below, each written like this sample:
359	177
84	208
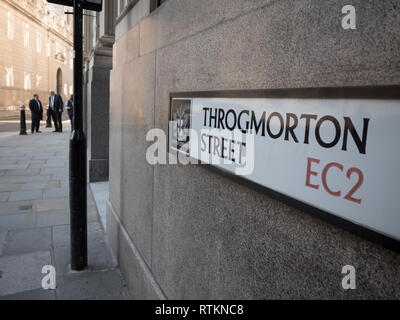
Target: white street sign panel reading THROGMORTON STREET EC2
338	155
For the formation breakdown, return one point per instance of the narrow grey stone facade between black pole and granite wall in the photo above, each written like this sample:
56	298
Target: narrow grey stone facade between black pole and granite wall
98	42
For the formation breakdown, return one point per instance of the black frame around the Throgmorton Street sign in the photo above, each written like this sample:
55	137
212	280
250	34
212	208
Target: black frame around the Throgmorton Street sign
387	92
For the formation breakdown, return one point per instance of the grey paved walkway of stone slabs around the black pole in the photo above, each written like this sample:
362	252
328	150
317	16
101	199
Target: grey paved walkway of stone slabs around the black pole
34	224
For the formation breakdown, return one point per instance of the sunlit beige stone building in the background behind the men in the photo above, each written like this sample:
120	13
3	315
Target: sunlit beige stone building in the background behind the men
36	52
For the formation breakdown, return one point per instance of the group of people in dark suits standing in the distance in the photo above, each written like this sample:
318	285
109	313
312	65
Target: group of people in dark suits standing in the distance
55	109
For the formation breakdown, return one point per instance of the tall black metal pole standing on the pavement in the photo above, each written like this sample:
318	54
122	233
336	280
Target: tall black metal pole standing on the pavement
77	157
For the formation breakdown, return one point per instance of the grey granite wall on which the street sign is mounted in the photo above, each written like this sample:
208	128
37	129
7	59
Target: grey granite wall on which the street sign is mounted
185	232
